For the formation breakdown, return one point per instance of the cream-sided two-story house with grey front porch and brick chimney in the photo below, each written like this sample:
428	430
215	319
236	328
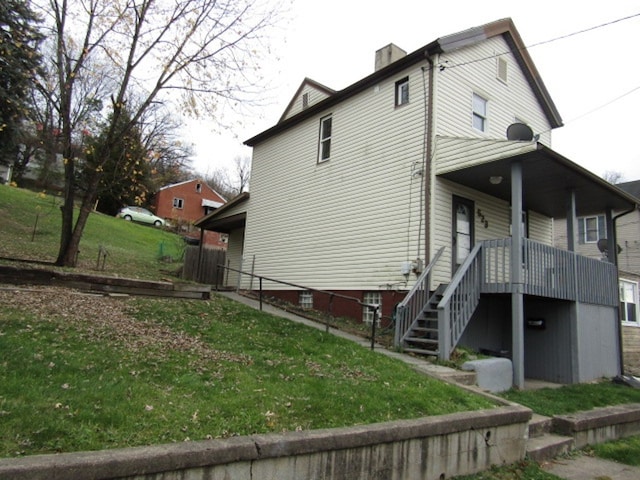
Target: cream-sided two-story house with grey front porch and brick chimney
402	190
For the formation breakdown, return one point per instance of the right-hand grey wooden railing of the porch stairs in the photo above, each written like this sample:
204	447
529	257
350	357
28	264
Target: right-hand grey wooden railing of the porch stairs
459	300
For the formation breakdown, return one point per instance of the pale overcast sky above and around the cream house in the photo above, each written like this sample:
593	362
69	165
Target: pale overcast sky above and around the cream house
334	42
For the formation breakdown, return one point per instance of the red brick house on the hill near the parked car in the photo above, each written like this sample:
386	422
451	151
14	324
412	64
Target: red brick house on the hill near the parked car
185	202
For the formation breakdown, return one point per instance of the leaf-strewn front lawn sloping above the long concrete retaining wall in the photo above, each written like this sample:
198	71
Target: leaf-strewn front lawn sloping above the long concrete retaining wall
82	372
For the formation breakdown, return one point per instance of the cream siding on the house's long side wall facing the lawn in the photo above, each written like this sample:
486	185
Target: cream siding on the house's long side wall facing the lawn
348	220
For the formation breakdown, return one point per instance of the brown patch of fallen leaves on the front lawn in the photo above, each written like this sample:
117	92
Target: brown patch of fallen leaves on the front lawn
100	318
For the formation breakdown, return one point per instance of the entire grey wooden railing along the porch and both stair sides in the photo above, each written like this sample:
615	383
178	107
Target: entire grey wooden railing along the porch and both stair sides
547	272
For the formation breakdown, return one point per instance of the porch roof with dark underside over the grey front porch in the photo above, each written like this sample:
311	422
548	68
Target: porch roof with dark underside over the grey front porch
547	178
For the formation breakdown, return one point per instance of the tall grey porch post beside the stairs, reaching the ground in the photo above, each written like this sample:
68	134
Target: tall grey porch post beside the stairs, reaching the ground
517	297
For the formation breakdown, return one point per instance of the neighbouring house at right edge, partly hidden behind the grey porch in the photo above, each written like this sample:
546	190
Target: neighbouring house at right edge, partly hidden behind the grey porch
593	242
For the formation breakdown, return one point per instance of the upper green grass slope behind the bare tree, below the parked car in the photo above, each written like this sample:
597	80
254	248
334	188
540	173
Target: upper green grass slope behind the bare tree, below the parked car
30	230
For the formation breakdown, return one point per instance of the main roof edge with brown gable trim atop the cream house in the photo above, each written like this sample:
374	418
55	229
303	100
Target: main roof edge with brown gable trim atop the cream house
448	43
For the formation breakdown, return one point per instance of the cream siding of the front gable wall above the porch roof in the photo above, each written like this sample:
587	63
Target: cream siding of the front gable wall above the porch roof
466	75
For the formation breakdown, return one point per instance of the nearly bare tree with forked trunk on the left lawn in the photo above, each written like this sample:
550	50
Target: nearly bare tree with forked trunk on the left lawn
205	50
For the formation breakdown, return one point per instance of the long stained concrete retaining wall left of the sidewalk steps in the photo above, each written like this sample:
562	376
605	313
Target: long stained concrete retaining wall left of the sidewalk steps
421	449
